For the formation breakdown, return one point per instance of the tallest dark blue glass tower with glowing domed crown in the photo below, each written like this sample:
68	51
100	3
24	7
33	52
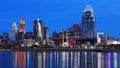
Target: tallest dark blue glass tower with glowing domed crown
88	23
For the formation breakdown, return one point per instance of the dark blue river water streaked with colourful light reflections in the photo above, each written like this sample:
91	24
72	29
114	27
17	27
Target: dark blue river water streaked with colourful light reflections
59	60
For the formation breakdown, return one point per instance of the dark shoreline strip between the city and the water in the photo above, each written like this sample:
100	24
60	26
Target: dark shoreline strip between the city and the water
60	50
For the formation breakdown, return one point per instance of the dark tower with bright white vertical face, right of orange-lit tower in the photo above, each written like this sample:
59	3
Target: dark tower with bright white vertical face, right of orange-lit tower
38	30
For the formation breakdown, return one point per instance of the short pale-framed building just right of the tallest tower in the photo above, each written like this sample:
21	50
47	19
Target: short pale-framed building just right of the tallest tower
101	38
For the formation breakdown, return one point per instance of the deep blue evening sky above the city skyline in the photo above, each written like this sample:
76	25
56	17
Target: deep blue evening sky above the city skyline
58	14
